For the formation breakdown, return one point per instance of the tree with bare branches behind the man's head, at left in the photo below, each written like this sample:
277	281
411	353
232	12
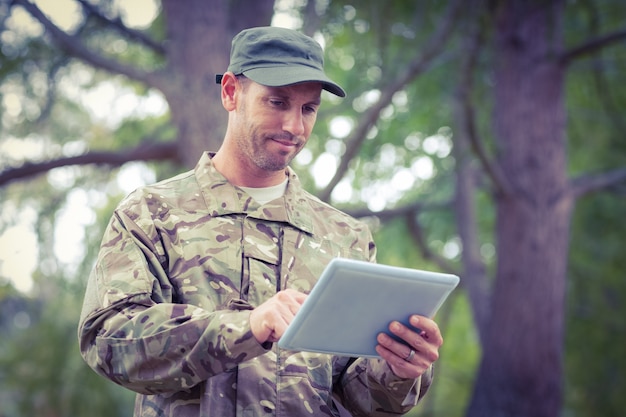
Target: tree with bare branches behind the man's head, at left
198	43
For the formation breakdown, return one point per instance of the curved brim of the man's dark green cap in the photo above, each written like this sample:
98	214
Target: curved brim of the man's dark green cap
284	75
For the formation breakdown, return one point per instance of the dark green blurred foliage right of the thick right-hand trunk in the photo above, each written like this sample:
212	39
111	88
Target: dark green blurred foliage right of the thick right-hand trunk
595	365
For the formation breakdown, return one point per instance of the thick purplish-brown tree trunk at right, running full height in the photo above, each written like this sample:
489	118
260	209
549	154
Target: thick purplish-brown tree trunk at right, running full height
521	370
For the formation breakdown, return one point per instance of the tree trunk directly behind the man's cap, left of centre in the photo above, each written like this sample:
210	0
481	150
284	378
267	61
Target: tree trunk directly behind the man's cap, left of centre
199	35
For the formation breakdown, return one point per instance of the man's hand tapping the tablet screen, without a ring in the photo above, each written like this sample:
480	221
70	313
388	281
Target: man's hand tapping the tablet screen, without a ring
269	321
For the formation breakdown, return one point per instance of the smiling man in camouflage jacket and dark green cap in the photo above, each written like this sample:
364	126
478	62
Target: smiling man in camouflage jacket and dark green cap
200	274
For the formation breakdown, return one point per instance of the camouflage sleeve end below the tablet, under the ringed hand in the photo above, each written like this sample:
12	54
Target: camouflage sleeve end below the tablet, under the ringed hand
368	387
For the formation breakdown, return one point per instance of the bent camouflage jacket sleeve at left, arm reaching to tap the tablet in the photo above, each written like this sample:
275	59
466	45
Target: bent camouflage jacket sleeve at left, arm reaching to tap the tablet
131	332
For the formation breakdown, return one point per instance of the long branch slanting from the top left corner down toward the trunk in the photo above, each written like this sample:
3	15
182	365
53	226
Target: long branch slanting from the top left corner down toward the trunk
76	48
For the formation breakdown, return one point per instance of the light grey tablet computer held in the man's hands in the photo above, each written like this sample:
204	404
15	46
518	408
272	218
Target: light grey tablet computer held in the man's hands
353	301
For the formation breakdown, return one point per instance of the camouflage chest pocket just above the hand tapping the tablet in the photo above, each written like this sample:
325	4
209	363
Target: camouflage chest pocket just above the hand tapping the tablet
261	259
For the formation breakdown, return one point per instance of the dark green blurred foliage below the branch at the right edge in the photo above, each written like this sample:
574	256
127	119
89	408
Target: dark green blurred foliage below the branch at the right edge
596	332
